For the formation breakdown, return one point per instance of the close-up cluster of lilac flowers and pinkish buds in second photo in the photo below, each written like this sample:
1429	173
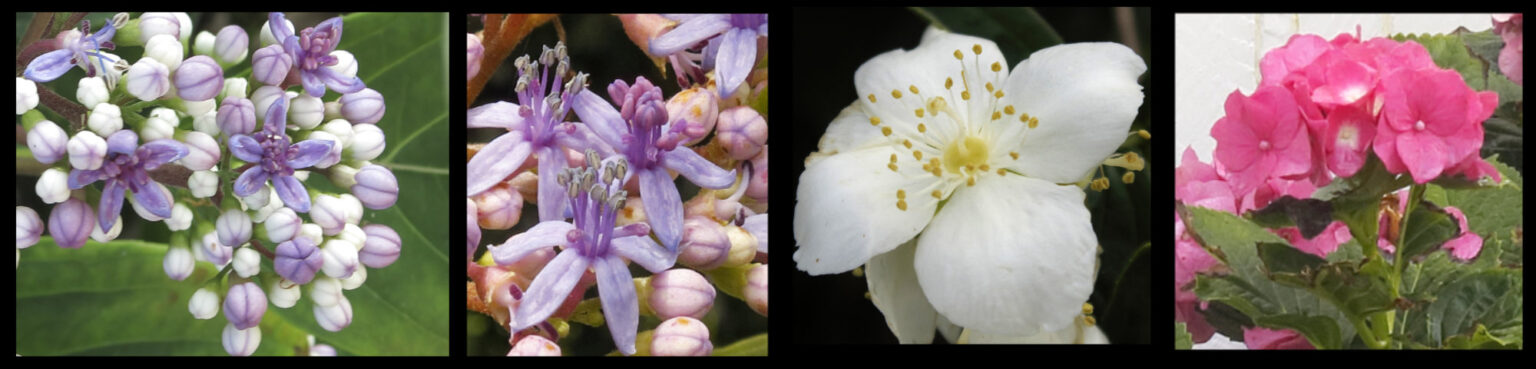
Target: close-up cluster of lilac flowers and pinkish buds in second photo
604	182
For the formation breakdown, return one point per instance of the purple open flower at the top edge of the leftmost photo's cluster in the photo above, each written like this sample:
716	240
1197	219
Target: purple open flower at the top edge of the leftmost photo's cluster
311	53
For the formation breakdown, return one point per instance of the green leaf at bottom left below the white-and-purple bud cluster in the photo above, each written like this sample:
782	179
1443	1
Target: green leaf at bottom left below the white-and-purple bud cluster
114	299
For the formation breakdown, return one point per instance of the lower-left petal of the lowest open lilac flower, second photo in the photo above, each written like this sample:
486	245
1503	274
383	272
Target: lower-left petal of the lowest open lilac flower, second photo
549	290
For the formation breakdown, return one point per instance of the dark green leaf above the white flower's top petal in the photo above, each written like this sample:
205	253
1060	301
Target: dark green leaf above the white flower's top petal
1018	32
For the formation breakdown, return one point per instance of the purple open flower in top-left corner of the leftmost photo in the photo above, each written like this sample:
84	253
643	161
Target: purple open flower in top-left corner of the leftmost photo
76	48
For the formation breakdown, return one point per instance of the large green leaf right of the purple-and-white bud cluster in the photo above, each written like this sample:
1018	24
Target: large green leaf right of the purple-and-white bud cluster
403	310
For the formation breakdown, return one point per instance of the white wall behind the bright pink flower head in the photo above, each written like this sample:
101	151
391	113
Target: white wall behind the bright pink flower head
1219	53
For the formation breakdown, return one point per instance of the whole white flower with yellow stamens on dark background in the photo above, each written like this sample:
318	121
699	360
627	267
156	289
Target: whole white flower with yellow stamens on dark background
1011	251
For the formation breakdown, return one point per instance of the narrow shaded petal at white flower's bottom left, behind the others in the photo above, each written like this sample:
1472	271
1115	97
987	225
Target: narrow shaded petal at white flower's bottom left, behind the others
895	291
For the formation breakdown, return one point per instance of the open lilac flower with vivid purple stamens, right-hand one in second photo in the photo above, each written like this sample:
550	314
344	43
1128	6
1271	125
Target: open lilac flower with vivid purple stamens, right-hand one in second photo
643	135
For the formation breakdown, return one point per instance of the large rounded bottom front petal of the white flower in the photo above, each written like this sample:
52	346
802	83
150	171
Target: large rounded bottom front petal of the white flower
1011	256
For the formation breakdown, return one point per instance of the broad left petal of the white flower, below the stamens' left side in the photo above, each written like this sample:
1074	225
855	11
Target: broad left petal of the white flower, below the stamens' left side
847	210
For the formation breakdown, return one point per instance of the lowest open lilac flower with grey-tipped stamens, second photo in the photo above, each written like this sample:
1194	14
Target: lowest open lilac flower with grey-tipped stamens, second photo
591	242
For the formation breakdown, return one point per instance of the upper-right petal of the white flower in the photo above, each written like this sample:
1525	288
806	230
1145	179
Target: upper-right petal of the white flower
1085	98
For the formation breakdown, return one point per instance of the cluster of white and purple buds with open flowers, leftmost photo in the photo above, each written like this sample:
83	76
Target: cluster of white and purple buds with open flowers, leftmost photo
239	205
